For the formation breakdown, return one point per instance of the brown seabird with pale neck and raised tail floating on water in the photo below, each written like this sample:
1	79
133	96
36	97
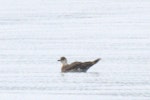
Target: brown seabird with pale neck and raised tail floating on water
76	66
